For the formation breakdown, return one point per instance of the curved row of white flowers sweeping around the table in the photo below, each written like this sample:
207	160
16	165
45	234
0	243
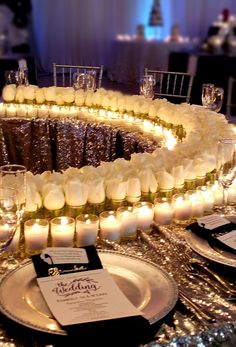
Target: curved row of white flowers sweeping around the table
194	157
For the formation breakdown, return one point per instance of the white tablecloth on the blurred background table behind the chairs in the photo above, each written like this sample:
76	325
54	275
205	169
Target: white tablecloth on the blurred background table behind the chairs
129	58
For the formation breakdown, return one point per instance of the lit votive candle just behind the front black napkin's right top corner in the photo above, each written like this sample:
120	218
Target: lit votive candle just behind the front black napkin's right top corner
86	230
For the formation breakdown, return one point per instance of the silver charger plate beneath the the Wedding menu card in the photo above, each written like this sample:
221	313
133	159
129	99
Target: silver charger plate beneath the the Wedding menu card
146	285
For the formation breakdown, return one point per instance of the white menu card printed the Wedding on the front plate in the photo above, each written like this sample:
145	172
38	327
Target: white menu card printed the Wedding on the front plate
84	297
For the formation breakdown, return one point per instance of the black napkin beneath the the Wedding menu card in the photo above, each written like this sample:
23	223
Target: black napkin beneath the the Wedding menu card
125	331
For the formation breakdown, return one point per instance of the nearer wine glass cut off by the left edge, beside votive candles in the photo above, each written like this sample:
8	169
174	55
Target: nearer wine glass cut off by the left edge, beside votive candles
9	217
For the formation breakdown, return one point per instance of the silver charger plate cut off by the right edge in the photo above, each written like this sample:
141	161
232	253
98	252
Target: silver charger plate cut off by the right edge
202	247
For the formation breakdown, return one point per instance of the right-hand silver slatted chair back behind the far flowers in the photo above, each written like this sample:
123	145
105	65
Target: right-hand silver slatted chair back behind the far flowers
174	86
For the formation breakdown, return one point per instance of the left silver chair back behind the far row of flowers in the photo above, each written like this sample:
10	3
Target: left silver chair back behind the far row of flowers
63	73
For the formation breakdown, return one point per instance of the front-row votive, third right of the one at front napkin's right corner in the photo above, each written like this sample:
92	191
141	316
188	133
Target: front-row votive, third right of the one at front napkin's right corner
145	214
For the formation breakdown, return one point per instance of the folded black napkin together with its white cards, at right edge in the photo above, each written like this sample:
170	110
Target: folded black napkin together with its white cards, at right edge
217	230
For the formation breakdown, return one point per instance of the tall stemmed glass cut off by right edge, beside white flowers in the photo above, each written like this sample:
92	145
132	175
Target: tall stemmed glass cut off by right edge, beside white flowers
226	167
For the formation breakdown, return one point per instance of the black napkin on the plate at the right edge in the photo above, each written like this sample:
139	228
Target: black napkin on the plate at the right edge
212	235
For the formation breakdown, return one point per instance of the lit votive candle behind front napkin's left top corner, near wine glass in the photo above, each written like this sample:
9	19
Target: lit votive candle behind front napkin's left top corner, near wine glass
36	235
